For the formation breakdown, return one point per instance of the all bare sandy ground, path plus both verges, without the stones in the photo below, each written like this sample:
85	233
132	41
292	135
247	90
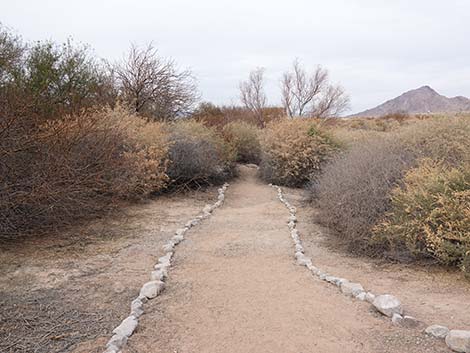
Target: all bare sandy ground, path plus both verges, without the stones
233	287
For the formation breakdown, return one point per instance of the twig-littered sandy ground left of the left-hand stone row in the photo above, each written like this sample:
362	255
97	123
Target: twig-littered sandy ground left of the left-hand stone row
68	291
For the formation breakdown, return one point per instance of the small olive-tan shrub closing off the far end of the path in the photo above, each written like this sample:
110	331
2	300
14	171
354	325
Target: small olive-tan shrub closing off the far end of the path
244	139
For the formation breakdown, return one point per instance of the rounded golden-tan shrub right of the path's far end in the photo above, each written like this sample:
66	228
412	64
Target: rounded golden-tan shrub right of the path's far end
294	150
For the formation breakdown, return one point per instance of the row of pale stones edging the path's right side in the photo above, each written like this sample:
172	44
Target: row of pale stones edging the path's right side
386	304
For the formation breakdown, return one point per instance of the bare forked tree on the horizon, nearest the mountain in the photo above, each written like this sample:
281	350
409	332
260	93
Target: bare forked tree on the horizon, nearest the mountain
312	95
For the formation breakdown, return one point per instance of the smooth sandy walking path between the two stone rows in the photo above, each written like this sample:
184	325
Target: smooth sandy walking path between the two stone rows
234	287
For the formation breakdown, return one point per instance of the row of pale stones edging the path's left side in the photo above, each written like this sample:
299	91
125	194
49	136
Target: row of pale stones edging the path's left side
156	285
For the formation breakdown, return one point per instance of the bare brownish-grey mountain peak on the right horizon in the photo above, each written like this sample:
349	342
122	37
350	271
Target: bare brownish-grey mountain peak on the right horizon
420	100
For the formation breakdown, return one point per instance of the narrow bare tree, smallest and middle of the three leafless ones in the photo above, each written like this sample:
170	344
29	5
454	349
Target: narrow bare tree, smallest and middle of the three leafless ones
252	94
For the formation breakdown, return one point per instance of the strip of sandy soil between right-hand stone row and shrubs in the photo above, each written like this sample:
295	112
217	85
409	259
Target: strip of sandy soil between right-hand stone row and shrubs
430	293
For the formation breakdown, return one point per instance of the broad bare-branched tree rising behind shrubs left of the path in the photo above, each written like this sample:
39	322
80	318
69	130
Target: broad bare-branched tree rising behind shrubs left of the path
153	86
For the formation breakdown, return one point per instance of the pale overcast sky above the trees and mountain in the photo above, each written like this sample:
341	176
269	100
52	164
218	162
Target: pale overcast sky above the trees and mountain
376	49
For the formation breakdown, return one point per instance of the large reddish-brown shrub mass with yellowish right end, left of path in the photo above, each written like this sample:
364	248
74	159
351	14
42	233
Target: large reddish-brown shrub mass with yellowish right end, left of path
60	171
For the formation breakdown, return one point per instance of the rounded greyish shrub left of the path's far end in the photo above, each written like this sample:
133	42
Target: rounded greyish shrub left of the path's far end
198	155
